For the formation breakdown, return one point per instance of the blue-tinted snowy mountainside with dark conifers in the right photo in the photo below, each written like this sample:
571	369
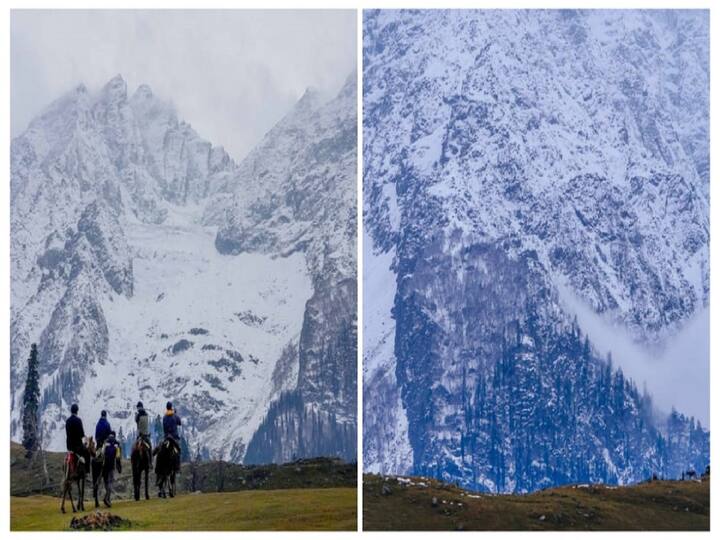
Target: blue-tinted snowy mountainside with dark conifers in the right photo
517	163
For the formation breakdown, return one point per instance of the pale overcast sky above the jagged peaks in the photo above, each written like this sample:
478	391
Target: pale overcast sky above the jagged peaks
231	74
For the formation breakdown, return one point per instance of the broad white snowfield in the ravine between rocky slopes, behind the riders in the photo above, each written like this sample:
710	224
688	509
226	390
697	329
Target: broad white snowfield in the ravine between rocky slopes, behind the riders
190	305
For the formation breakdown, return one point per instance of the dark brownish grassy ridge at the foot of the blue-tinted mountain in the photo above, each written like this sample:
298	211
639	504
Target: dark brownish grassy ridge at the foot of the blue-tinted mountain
663	505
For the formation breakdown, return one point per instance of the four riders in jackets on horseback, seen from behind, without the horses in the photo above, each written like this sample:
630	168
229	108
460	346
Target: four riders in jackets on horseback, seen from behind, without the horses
107	447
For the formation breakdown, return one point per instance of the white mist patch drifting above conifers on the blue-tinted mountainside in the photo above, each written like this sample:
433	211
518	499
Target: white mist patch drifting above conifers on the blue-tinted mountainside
676	373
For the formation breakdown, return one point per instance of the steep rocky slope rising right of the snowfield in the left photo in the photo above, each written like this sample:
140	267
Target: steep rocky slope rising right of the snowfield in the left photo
316	215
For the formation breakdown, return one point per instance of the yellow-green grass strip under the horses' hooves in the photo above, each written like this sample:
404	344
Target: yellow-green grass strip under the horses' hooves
271	510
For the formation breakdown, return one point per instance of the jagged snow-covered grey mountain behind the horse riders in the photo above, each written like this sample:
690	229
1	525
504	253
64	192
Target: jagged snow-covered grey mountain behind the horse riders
130	271
